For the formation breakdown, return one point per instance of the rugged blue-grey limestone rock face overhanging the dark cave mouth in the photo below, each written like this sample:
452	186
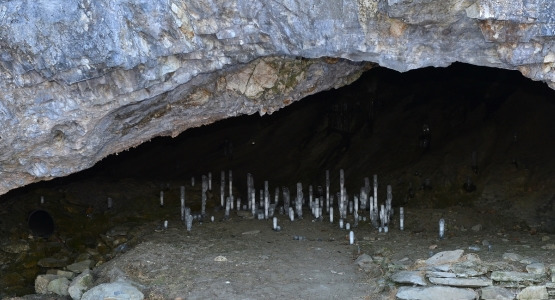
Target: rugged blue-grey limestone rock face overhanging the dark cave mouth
82	79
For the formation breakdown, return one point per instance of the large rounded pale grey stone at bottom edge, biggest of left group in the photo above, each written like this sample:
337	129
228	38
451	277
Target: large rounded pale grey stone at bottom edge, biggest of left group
116	290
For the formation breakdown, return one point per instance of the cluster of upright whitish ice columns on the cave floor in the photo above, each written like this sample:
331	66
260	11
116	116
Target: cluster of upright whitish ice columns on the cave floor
361	207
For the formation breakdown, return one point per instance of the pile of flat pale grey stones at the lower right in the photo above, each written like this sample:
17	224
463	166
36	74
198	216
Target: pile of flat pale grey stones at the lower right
455	275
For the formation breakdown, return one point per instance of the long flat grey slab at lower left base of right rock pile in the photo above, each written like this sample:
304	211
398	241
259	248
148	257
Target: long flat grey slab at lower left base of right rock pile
435	293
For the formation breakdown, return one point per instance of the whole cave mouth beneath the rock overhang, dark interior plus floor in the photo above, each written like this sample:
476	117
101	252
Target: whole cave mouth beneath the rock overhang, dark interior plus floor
467	145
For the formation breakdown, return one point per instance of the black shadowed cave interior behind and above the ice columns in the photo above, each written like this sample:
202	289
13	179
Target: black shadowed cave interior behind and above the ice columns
463	136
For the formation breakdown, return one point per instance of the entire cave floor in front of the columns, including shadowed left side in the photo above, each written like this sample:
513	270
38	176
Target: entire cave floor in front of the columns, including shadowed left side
243	258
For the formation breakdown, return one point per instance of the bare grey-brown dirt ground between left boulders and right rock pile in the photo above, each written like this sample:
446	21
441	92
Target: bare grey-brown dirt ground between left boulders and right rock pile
308	259
